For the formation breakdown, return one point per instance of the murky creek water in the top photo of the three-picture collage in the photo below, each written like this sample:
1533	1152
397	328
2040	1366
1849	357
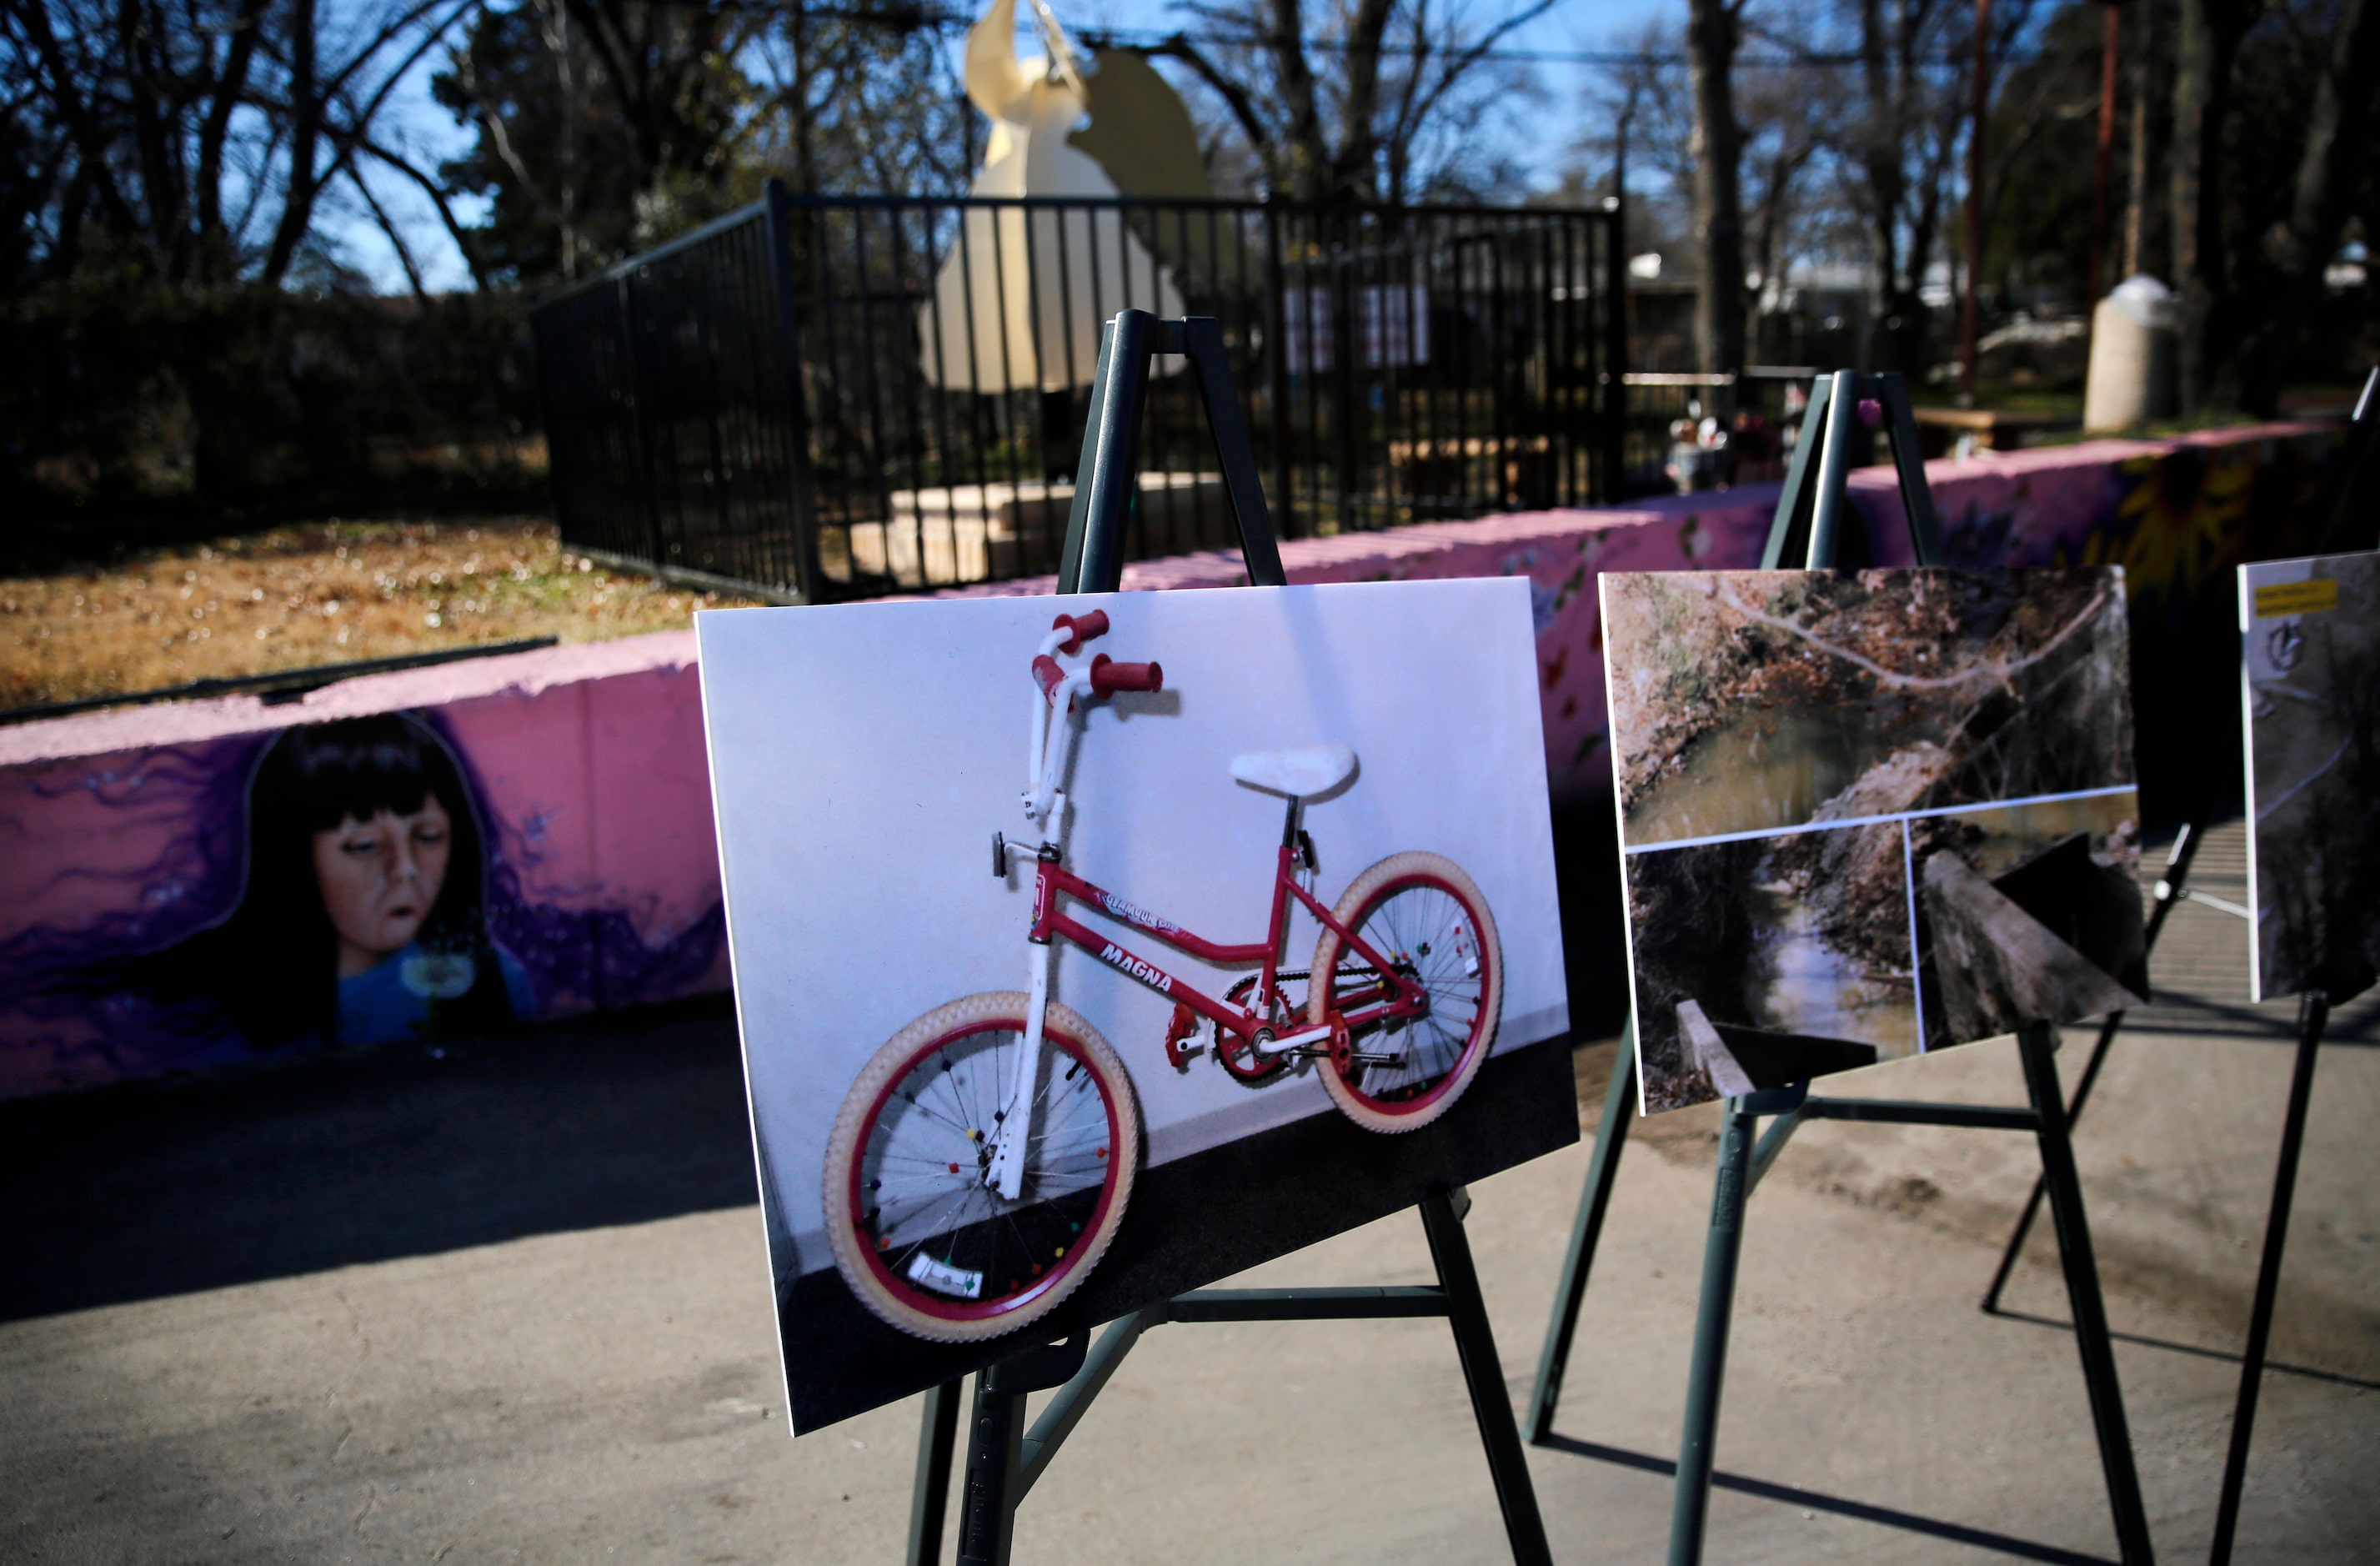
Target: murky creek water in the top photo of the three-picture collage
1762	770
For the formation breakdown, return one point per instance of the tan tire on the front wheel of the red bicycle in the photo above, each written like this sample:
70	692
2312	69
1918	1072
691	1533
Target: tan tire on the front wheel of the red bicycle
844	1146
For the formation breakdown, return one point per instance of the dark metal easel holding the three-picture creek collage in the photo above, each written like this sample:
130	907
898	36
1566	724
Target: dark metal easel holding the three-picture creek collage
1808	522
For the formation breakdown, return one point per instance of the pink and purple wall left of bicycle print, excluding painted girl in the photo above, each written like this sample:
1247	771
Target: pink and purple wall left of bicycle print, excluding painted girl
120	834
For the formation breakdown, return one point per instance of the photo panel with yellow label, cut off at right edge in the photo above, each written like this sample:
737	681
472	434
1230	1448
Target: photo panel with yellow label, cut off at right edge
2312	687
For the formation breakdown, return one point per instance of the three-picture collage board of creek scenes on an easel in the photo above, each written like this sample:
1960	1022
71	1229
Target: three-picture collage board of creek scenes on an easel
1867	815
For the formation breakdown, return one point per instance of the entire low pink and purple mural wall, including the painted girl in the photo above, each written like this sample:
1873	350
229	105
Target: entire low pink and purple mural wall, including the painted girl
220	882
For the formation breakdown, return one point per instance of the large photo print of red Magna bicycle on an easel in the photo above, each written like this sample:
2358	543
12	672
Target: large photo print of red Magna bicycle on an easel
1260	951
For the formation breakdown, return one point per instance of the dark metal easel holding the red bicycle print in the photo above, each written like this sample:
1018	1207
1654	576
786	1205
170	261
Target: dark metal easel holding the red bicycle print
1003	1458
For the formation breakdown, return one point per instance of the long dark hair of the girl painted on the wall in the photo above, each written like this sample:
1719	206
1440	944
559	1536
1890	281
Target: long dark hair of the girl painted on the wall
273	963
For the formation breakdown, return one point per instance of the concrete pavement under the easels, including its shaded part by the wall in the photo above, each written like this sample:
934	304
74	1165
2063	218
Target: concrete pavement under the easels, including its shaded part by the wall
511	1305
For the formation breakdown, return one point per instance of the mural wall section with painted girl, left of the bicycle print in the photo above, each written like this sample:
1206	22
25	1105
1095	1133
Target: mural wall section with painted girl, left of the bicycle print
175	889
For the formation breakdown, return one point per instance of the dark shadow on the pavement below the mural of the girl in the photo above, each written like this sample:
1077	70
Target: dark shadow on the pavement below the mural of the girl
163	1189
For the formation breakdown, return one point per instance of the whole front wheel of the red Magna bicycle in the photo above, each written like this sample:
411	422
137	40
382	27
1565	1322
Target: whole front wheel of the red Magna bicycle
915	1227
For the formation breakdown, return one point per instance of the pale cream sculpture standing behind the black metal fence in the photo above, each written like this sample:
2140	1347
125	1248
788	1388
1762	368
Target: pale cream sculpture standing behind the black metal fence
1036	287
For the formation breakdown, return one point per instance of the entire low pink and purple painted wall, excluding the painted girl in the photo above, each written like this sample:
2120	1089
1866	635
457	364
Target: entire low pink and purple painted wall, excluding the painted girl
123	832
